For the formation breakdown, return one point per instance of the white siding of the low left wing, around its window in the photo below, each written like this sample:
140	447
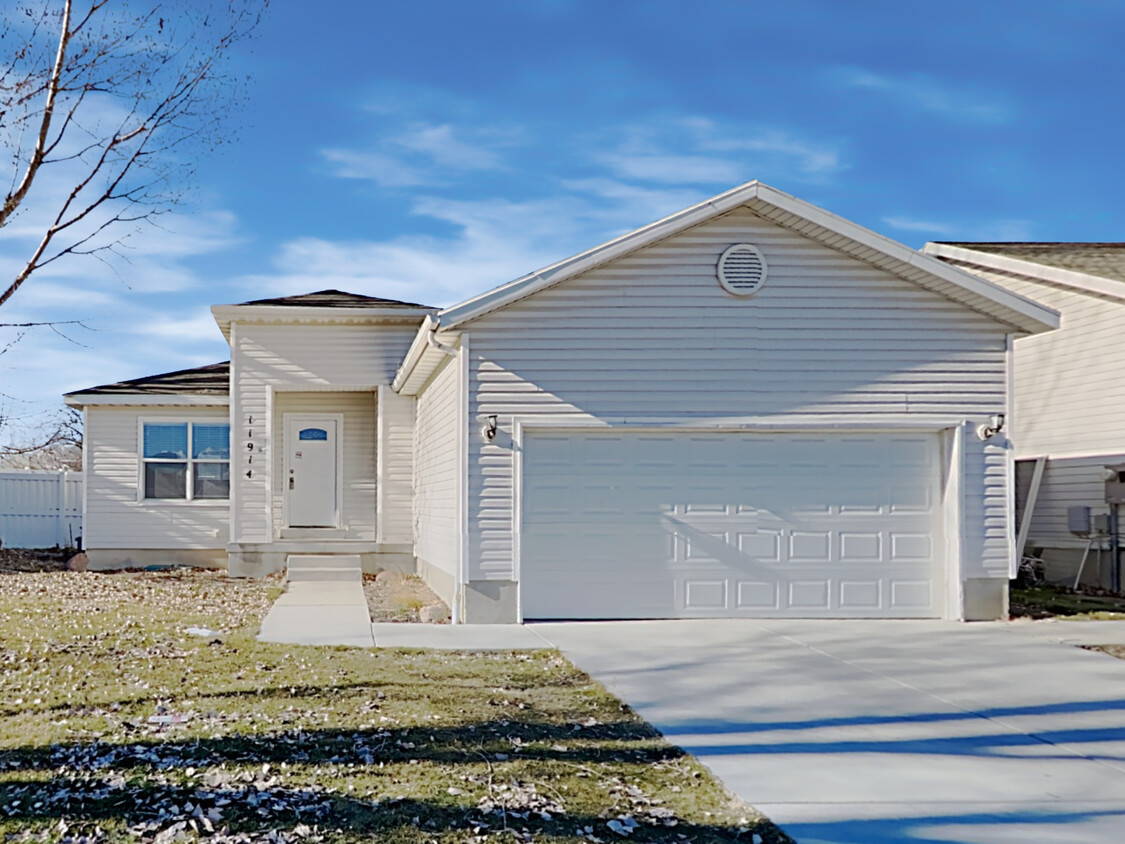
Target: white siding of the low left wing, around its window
114	516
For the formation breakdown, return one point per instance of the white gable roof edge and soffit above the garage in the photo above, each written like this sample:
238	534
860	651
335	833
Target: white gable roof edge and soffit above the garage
1021	313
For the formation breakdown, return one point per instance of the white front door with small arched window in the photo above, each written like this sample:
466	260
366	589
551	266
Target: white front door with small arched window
311	472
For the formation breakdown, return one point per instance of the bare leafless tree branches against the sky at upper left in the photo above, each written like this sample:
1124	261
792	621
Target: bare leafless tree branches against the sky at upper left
120	109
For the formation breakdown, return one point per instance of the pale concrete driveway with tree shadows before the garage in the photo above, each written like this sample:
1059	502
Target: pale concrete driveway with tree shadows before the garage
870	732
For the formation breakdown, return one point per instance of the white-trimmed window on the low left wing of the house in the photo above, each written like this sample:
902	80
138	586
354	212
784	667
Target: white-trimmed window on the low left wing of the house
186	461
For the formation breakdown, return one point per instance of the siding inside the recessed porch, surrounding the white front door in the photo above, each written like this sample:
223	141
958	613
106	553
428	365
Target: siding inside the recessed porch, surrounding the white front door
358	484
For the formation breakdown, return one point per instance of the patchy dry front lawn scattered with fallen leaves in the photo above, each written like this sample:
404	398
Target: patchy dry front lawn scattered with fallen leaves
119	725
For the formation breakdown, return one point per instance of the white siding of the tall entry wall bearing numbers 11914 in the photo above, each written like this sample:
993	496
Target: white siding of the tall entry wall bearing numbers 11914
300	357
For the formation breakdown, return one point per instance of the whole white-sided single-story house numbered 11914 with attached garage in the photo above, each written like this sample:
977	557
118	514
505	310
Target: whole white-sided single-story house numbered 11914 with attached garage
751	408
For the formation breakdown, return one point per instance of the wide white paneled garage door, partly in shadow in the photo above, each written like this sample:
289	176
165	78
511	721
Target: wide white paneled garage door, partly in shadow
728	525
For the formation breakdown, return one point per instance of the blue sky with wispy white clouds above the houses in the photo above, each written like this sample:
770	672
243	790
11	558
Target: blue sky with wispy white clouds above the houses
428	151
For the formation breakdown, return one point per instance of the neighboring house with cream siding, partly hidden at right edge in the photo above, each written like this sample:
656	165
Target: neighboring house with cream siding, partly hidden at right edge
1069	414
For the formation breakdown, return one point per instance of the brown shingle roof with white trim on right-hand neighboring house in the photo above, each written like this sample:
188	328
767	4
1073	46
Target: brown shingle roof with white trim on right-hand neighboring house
1094	268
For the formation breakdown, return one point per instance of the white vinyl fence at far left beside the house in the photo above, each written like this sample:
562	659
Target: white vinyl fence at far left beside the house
41	509
